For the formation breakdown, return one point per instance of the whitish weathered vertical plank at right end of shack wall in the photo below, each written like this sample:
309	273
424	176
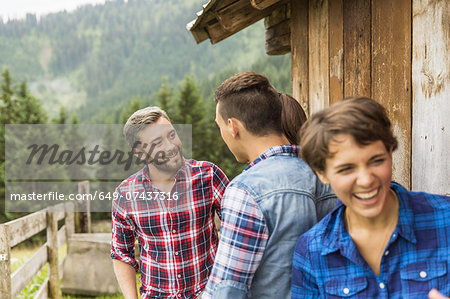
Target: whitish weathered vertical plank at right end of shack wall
431	89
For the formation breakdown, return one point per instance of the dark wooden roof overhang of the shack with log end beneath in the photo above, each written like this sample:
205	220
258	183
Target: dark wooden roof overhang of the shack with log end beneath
220	19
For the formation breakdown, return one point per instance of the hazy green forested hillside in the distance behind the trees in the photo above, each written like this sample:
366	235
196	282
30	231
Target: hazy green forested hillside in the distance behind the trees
98	57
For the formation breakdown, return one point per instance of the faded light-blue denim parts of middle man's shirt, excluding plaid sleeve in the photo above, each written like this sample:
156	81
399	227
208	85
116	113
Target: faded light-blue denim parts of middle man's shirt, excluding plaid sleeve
292	199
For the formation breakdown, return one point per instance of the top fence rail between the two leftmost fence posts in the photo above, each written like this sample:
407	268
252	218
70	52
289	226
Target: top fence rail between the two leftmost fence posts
26	227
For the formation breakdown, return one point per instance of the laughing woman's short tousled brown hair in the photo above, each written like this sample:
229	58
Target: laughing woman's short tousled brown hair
362	118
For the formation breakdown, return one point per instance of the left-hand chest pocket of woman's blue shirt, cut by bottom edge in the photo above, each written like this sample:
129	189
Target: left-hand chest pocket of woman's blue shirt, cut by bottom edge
345	288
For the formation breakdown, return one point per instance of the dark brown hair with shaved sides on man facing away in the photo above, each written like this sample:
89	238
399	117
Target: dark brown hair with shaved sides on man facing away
250	98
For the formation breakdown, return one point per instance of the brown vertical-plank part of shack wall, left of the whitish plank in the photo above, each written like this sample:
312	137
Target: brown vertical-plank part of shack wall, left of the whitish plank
355	48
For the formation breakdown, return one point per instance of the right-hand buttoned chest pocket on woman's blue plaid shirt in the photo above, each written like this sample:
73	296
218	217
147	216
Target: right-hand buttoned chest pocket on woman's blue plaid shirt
419	278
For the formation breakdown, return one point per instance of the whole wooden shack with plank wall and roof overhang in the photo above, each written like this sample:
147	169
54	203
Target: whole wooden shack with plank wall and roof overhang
396	52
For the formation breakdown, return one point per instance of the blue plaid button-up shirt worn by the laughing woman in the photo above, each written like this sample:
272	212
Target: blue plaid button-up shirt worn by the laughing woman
327	263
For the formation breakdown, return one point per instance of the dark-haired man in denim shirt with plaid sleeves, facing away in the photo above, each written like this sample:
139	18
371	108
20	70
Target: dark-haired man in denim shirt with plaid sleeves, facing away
276	198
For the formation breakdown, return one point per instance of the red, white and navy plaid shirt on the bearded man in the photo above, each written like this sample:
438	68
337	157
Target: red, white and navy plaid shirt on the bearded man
177	238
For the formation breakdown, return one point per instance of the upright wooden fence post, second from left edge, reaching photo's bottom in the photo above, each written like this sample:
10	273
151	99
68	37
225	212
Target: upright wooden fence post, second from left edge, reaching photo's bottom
54	290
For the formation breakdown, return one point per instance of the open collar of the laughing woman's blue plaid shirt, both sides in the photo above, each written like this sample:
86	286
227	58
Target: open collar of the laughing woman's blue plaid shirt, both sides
338	238
